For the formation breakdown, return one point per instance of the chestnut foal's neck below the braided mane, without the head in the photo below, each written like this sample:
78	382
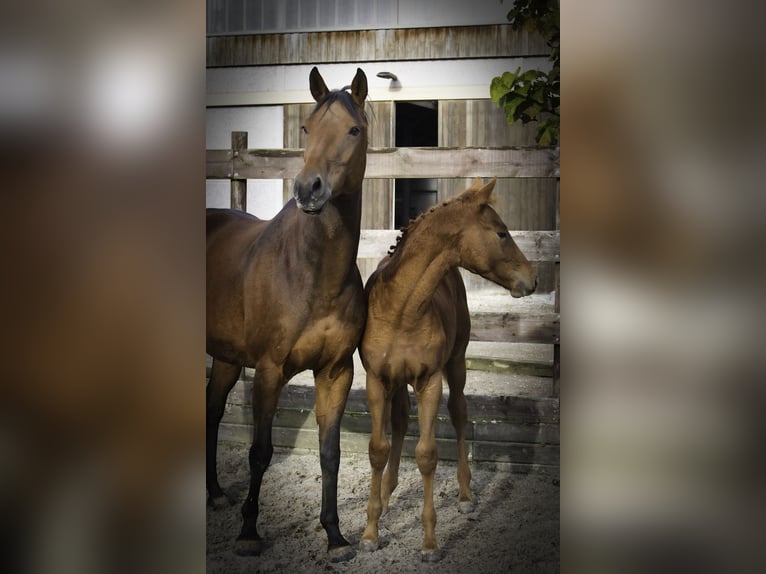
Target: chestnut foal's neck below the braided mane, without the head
417	267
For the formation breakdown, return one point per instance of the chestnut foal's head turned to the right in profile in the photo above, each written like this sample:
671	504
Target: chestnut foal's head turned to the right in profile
488	249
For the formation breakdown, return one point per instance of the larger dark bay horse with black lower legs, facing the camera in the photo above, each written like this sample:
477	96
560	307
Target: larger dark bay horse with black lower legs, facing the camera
285	295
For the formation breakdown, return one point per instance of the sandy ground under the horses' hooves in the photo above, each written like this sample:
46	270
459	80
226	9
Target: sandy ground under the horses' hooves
514	528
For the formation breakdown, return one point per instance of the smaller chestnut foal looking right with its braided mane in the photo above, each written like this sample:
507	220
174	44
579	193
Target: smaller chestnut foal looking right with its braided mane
418	328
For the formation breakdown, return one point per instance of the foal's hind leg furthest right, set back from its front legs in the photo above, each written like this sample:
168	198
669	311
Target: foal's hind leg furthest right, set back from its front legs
455	371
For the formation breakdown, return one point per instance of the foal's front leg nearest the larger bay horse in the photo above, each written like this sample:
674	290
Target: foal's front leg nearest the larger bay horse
379	450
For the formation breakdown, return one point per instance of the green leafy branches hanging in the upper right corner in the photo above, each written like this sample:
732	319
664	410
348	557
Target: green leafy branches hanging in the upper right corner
533	95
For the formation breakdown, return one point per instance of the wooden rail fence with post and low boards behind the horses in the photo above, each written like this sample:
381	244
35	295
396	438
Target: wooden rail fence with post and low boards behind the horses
518	430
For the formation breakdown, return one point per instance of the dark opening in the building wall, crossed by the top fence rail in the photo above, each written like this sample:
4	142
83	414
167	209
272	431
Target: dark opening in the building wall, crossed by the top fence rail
416	125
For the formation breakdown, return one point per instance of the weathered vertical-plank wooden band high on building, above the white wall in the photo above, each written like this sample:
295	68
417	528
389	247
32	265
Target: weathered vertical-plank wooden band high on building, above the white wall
446	43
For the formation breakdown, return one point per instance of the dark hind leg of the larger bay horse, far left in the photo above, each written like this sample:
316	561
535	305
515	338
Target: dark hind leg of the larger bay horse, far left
223	376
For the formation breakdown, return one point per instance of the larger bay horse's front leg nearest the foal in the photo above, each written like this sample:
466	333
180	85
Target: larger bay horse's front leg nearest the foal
332	386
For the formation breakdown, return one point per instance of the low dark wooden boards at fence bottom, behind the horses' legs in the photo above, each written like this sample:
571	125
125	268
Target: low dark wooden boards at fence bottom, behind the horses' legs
520	431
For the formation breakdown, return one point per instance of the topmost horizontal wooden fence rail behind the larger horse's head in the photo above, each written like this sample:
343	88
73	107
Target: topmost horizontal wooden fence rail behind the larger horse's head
384	163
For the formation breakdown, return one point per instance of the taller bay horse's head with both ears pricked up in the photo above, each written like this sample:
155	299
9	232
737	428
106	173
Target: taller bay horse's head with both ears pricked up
336	144
